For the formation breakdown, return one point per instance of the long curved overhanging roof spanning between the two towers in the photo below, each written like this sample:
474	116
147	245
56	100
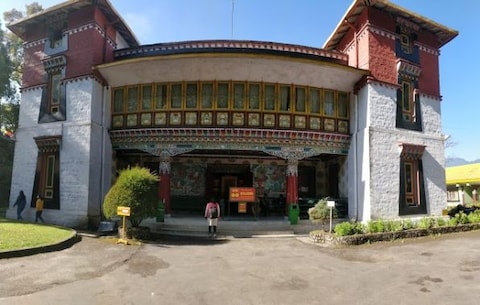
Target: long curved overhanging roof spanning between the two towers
231	60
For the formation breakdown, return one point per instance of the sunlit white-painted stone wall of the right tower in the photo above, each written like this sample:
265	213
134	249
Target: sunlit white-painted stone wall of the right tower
385	149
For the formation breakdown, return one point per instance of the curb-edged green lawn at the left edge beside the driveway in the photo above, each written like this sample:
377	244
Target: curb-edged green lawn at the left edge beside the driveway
16	235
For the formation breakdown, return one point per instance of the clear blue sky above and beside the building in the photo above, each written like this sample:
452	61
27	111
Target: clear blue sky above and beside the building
310	23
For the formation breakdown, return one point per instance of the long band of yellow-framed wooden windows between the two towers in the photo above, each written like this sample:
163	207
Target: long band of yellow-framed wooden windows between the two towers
164	104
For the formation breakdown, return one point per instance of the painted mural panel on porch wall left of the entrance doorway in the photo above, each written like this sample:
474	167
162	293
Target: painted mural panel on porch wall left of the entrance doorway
187	179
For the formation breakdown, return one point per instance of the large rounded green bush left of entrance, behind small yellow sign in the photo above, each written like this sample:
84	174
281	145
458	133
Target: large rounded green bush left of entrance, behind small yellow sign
135	188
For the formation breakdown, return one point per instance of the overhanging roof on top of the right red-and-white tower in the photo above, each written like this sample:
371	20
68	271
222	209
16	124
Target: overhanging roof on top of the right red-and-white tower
443	33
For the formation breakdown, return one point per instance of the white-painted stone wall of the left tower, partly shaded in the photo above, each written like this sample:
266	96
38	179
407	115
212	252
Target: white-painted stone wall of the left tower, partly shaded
85	150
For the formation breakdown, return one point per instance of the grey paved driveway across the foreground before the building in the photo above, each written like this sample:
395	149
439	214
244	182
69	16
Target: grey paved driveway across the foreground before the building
441	270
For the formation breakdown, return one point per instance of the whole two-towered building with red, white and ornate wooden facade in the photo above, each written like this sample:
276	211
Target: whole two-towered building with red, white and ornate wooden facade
357	120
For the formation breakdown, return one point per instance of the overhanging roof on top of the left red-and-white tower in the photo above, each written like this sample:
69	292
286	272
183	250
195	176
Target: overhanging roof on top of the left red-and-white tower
19	27
